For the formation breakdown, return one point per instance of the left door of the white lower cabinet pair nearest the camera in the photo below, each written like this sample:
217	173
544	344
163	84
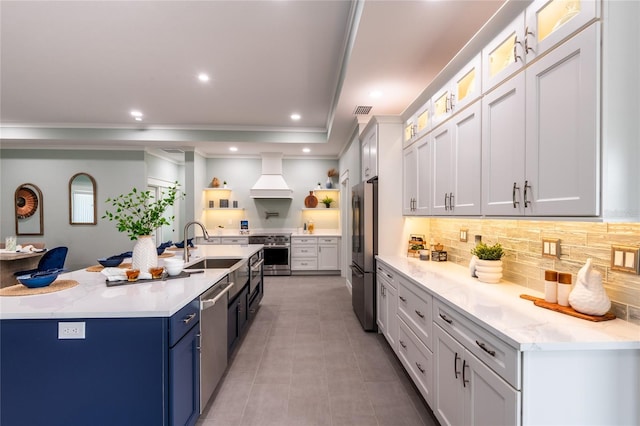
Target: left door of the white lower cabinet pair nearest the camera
448	391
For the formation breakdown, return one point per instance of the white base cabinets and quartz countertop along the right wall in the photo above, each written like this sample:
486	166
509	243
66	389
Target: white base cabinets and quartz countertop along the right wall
475	351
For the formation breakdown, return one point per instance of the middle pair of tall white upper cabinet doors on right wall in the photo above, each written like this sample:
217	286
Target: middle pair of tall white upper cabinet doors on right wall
455	156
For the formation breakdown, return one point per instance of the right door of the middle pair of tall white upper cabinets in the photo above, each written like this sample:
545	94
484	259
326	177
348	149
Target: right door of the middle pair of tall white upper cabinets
466	173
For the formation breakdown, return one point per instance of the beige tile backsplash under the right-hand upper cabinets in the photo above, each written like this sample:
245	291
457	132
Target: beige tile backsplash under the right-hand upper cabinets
524	264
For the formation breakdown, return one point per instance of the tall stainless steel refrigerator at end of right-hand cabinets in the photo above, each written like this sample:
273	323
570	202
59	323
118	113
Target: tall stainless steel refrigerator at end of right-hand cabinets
364	242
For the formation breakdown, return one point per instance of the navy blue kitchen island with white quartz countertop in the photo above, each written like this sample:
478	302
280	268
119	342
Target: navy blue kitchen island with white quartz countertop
98	355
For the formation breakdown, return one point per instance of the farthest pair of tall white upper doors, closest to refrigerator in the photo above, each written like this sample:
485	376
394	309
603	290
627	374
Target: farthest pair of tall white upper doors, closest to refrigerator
416	178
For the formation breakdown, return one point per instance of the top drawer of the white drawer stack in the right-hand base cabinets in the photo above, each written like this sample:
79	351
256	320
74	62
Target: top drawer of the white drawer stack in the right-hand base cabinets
415	307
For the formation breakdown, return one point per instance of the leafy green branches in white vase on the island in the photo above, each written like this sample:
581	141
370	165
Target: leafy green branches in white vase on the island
139	214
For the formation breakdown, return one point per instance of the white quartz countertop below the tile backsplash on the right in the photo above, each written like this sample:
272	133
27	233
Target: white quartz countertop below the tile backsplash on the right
517	321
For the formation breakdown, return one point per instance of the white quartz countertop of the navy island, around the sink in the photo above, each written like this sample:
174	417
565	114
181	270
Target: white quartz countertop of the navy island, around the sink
91	298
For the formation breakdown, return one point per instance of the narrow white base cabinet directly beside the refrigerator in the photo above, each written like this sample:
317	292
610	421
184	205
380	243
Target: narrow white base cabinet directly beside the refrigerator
387	304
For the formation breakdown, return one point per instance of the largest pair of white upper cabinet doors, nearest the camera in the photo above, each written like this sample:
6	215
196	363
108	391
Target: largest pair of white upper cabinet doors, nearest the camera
539	136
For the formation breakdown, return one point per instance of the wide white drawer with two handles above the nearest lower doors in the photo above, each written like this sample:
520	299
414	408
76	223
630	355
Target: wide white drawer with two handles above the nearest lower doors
490	349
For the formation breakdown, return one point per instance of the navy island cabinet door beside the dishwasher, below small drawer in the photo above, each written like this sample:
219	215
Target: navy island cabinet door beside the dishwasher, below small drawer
184	380
